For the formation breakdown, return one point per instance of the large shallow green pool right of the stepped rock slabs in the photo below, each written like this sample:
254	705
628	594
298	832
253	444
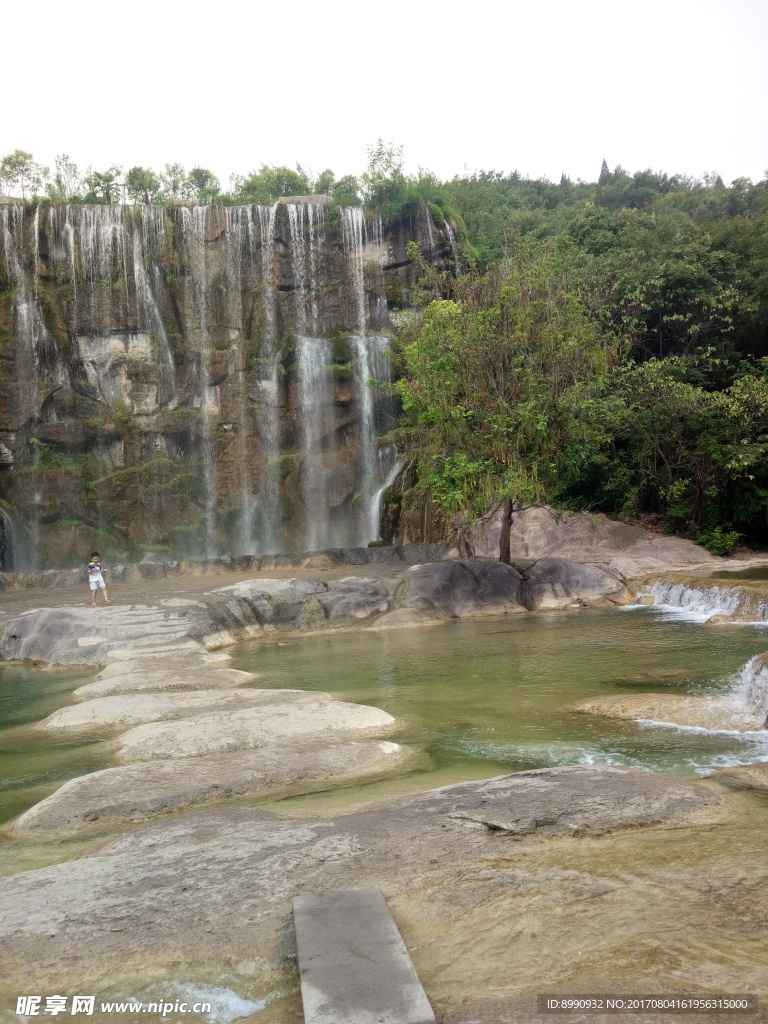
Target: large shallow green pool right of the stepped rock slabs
492	696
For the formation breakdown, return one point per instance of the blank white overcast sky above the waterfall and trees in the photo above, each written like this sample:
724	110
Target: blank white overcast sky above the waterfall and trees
541	88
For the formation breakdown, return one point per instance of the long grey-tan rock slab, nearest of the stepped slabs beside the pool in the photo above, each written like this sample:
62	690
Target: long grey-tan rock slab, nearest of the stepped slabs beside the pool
134	793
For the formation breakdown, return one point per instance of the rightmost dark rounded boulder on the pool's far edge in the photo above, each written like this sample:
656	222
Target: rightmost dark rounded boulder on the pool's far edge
559	583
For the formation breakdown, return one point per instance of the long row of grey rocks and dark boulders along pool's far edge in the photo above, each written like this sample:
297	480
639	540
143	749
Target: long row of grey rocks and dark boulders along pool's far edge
261	608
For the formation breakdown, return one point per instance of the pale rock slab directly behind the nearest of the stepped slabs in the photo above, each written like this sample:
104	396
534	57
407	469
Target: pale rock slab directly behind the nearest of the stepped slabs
251	729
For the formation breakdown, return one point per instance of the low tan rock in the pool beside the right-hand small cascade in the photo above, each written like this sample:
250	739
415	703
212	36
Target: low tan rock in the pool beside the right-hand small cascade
673	709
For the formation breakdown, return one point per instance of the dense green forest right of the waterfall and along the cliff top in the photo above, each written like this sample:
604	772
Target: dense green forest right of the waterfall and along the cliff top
606	347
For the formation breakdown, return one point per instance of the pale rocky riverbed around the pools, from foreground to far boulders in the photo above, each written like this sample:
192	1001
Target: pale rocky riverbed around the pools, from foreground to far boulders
544	880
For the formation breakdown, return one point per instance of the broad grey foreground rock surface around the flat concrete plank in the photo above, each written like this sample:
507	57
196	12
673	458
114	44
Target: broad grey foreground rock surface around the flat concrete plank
232	874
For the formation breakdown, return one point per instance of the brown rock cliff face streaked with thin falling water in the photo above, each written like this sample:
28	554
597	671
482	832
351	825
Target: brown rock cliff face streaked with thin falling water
196	377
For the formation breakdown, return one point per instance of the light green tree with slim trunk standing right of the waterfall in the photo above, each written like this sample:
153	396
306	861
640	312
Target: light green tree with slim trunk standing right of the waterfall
499	387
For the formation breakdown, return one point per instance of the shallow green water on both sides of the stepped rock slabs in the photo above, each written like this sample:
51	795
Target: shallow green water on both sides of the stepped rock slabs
482	697
